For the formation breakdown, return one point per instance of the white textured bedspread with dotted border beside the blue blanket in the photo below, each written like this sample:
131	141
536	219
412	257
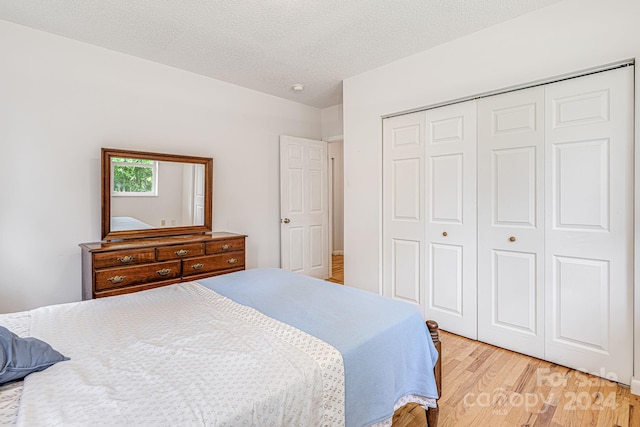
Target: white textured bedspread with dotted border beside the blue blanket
180	355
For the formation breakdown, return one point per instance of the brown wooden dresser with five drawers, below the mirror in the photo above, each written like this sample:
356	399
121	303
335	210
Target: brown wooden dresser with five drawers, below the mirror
120	267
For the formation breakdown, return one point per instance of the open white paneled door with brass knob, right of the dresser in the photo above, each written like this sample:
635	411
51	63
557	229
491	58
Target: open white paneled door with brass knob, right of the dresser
304	211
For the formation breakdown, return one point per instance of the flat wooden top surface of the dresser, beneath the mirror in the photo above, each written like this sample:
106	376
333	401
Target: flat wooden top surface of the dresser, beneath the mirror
158	241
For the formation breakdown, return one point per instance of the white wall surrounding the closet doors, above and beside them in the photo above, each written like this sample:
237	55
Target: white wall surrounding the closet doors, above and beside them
566	37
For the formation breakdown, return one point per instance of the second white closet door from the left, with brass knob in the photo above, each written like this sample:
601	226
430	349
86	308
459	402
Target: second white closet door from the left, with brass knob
451	218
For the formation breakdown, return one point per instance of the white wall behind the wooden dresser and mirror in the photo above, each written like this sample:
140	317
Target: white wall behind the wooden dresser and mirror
61	100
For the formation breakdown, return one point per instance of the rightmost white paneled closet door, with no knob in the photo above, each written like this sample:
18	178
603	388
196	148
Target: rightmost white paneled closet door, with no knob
589	194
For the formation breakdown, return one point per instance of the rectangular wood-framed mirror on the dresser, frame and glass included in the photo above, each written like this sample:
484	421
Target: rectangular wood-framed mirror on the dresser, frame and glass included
153	194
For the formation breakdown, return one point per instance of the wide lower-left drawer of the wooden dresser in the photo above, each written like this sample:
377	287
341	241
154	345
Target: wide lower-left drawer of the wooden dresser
112	278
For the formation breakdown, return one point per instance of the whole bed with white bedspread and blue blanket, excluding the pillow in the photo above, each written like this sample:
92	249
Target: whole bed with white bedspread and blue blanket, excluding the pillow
256	347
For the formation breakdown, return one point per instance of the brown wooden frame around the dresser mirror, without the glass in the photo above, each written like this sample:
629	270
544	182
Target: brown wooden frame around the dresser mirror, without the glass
107	234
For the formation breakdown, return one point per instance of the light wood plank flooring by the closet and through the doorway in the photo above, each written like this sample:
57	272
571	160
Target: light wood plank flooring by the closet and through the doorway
483	385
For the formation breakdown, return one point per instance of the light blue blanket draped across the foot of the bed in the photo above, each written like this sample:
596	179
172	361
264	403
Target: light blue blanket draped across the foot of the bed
385	344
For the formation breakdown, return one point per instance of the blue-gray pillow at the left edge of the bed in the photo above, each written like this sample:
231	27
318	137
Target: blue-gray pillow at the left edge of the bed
21	356
